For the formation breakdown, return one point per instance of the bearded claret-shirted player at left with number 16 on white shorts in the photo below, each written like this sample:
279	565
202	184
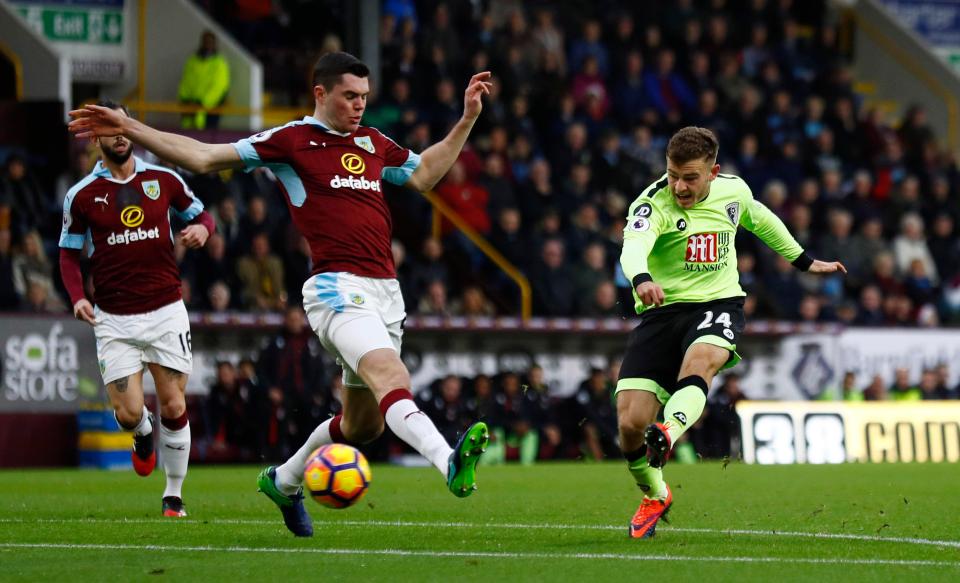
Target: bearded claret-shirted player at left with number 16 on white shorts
121	213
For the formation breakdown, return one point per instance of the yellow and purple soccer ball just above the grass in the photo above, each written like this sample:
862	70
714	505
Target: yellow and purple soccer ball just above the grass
337	475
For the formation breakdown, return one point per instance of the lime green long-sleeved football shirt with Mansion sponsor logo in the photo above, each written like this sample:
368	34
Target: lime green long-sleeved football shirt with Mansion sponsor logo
690	252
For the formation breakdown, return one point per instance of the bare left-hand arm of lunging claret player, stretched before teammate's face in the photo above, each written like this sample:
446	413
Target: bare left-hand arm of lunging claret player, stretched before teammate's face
199	157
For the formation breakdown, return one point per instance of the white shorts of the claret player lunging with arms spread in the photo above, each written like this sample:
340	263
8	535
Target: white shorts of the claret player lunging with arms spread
353	315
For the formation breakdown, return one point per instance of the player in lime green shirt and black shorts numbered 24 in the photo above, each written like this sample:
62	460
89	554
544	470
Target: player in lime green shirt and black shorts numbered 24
678	251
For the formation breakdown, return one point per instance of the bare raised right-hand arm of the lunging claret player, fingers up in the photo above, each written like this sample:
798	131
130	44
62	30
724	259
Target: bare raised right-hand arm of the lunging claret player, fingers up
436	160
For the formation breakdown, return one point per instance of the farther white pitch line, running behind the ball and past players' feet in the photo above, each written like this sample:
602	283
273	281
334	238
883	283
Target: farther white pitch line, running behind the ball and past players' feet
510	526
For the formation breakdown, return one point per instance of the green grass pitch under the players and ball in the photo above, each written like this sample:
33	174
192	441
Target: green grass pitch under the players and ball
547	522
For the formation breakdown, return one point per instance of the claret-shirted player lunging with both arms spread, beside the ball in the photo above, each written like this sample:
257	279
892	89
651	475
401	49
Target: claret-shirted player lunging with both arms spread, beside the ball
331	170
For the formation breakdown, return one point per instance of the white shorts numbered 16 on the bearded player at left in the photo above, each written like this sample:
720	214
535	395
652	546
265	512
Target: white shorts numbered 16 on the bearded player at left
126	342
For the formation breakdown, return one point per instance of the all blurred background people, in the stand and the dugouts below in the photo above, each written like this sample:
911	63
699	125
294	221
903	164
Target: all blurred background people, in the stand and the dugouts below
585	96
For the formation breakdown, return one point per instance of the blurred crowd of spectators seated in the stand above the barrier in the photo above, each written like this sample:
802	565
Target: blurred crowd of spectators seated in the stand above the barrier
582	104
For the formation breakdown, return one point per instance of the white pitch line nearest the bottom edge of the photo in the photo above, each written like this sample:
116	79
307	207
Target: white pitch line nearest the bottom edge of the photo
481	555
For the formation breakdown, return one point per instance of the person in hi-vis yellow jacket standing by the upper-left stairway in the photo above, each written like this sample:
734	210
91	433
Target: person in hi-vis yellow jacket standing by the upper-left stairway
205	82
